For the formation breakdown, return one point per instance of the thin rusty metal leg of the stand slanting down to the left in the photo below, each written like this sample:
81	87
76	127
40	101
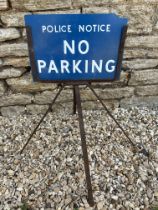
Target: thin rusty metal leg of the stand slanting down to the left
34	131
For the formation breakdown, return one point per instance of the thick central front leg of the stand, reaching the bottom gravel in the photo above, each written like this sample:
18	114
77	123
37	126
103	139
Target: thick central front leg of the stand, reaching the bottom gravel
84	146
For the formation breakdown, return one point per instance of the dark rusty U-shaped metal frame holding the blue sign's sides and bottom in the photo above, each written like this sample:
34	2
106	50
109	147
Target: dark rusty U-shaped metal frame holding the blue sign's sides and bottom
34	69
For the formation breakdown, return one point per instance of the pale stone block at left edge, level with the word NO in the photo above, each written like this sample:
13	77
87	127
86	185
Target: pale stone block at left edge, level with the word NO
13	49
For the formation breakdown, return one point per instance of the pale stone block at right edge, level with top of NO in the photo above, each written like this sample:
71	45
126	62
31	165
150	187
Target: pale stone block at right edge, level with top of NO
142	41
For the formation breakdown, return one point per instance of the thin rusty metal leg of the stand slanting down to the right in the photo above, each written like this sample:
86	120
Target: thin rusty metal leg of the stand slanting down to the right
141	150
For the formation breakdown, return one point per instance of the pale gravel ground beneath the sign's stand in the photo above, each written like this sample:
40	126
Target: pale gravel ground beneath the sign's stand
49	175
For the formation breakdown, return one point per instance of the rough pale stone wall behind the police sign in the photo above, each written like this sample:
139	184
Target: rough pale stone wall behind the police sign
139	79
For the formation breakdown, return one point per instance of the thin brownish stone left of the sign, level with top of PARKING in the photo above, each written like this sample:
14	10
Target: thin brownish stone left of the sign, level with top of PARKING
16	62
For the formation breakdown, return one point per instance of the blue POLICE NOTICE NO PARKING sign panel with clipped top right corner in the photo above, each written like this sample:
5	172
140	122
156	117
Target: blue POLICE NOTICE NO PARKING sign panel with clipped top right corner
75	47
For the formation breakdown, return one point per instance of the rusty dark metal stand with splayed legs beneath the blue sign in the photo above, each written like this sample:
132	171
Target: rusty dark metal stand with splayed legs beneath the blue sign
77	105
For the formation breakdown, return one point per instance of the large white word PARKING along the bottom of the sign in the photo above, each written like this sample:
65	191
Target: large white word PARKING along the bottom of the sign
76	66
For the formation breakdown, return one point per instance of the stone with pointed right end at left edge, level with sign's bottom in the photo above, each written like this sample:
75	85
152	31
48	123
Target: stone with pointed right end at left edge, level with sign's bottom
11	72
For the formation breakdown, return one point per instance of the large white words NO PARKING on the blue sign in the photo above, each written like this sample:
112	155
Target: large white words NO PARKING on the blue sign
75	65
